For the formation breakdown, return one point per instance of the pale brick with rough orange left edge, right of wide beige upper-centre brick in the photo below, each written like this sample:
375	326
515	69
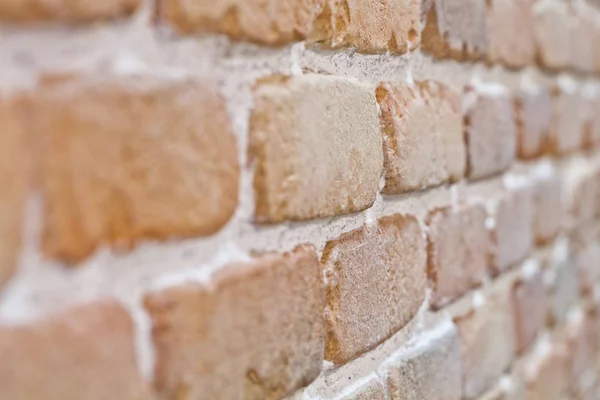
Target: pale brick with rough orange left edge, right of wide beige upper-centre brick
422	135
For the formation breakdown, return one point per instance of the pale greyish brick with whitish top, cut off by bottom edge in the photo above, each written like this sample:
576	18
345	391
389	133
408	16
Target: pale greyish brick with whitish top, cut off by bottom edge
430	368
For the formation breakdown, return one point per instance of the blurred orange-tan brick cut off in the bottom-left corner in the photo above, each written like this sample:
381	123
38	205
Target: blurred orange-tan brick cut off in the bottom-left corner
83	353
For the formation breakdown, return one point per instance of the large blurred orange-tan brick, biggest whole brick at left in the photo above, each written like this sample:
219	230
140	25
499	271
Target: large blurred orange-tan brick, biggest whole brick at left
126	159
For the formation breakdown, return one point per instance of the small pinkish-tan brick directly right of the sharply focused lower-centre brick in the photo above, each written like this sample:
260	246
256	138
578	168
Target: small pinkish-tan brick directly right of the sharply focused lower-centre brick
458	250
